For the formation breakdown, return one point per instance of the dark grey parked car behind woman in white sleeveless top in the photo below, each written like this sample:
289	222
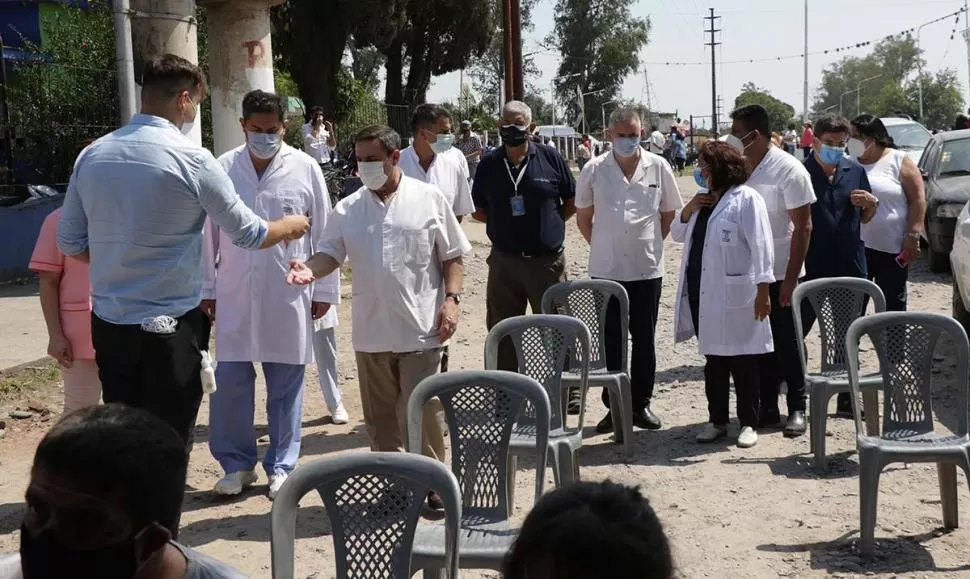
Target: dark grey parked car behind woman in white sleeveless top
945	166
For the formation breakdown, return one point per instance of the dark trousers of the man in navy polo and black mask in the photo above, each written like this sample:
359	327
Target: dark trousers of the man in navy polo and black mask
514	282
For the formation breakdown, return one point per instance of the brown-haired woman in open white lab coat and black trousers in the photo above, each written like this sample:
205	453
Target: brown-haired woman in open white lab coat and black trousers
722	297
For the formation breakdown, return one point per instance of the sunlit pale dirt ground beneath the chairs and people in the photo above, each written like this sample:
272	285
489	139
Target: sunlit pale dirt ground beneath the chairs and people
761	512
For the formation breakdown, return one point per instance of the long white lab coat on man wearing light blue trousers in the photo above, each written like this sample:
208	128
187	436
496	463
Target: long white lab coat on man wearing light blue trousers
259	318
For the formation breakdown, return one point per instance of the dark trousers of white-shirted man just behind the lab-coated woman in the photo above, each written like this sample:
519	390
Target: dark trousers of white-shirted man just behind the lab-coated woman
784	363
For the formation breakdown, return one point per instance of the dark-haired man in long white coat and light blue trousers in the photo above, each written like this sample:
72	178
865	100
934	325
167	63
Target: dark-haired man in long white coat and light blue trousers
260	317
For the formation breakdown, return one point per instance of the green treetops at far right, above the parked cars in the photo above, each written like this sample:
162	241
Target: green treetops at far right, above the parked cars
895	64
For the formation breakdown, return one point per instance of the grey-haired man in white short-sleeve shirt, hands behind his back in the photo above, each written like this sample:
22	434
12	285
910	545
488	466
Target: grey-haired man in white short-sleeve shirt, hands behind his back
625	202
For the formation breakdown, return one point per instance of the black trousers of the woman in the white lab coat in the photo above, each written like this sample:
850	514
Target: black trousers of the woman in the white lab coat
746	371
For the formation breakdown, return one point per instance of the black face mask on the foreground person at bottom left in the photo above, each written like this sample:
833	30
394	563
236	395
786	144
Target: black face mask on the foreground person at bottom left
45	556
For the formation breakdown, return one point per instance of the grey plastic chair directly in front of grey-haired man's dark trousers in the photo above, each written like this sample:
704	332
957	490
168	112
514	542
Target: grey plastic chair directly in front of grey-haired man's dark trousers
587	300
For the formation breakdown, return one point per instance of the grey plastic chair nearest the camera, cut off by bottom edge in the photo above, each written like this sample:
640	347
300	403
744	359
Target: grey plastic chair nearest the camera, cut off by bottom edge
373	500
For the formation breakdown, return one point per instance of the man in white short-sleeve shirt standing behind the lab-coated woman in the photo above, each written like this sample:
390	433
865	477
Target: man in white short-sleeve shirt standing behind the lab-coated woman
788	193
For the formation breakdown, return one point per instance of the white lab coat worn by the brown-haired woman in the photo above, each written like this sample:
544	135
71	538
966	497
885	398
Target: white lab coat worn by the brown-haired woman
738	255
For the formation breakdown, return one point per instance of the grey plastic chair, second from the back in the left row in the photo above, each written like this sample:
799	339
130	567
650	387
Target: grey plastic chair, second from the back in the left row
543	343
